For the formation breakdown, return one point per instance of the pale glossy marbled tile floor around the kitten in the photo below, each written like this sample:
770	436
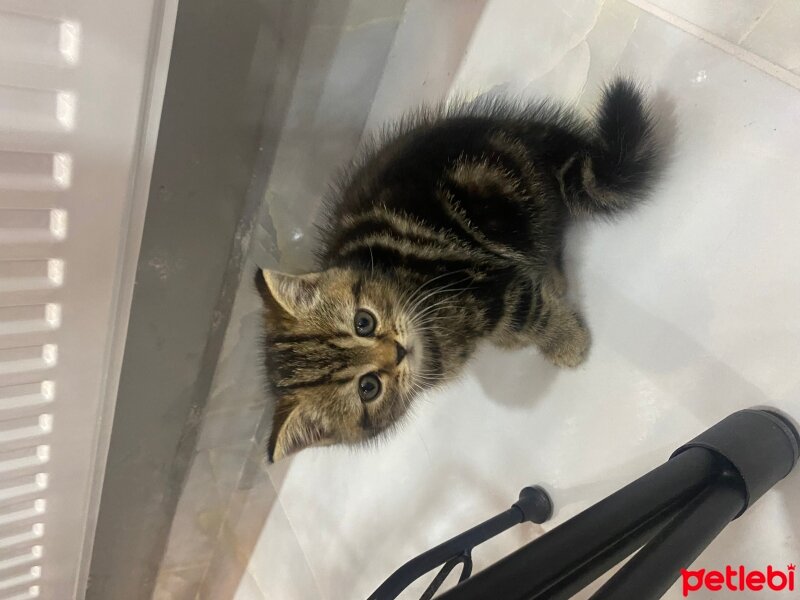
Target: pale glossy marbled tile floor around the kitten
692	300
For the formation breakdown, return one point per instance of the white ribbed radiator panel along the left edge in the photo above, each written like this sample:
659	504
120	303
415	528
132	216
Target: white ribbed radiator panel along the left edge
72	86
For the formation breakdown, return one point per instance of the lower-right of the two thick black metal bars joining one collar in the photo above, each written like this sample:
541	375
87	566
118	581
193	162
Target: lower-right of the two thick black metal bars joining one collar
654	569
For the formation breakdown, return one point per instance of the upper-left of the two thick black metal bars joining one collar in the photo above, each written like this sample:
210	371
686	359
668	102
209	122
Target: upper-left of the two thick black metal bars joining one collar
575	553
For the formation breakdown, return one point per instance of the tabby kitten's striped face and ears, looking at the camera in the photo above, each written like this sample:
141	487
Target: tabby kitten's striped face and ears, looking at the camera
342	355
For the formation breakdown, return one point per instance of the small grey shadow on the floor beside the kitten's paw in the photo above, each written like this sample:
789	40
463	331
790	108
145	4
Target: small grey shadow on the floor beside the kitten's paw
513	378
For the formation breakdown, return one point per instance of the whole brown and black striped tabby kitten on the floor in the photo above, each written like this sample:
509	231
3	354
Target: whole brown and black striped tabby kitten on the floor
446	233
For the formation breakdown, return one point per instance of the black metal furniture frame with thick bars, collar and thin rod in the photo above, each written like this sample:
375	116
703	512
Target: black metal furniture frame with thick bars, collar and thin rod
670	515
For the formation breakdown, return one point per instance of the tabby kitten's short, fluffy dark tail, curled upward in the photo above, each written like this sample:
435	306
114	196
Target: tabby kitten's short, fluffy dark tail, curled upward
619	165
